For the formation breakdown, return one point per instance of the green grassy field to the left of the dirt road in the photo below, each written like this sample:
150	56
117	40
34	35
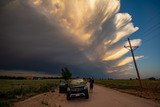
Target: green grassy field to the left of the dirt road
15	90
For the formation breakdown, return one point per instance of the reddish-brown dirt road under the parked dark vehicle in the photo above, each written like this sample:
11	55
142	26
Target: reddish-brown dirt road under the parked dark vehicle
100	97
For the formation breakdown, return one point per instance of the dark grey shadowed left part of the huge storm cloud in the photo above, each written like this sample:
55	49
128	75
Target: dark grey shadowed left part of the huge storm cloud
28	41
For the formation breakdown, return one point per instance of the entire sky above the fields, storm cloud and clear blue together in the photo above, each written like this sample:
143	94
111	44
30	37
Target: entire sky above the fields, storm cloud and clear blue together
87	36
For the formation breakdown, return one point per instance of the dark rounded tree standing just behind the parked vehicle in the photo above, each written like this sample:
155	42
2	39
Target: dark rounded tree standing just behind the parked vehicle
66	74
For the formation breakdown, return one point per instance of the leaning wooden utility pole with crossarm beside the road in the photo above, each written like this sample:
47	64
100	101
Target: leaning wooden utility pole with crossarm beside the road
131	49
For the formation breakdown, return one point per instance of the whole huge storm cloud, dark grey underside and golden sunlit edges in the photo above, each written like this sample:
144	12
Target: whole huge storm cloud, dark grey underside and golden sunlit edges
85	35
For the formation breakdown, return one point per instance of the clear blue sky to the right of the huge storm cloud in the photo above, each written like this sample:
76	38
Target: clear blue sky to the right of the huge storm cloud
146	15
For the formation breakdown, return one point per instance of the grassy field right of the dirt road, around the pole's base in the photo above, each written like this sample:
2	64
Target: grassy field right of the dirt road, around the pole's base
151	88
